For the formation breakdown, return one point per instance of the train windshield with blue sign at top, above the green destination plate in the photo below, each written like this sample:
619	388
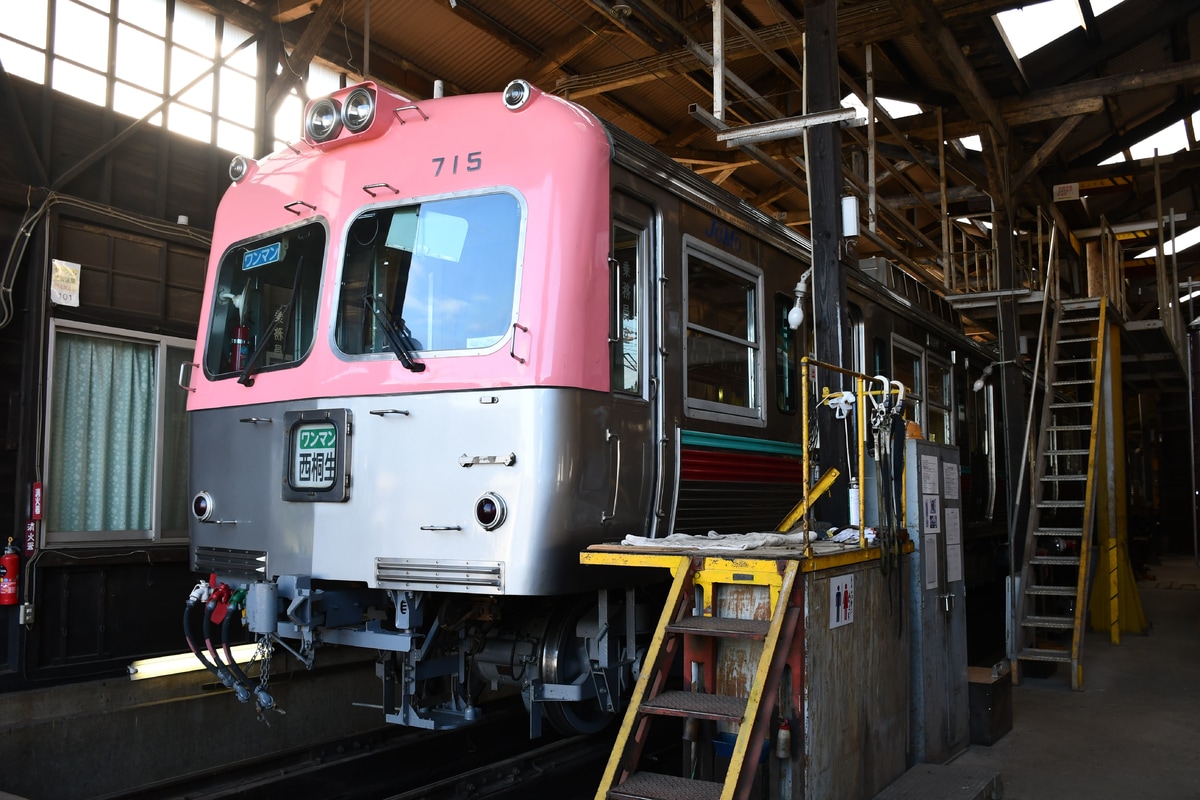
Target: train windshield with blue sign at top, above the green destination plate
266	306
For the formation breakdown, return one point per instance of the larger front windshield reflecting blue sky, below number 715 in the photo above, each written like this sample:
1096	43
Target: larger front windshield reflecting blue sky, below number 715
442	273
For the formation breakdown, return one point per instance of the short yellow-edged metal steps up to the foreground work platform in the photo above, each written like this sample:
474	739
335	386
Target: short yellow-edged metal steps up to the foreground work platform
688	625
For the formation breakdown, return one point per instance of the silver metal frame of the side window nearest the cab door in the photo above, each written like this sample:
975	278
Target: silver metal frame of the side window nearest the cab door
753	414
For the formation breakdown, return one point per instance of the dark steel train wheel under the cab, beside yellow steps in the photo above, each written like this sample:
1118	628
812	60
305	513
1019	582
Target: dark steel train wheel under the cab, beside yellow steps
566	660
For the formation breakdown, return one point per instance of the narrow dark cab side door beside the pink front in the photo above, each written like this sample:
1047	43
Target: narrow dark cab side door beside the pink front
635	419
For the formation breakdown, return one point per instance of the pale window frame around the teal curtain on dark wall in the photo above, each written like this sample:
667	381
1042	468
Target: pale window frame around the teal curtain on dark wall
155	536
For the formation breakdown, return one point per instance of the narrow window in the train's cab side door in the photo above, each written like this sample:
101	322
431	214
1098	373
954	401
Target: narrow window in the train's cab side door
627	310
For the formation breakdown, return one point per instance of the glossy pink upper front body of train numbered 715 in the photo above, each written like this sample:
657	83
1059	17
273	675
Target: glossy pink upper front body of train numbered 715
553	153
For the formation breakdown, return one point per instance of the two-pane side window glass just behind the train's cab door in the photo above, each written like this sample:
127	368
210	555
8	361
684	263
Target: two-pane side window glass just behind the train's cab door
723	341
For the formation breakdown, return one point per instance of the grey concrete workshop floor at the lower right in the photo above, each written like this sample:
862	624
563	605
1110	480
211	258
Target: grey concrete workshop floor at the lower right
1135	731
